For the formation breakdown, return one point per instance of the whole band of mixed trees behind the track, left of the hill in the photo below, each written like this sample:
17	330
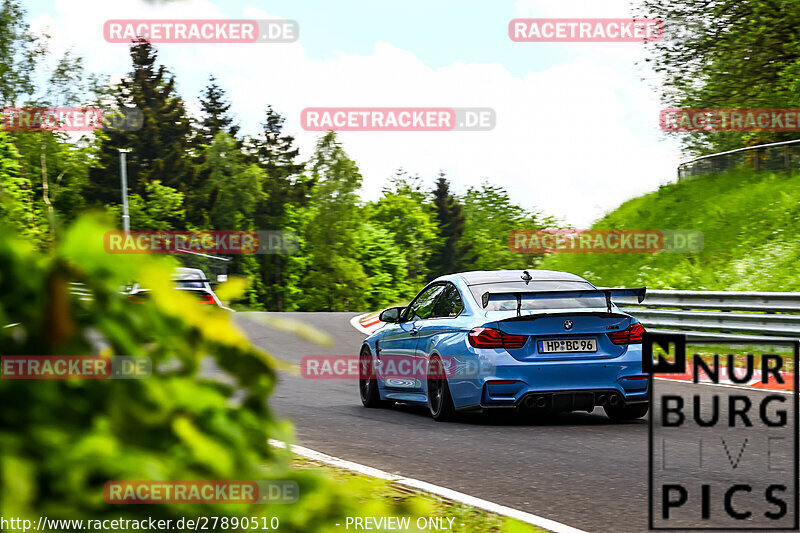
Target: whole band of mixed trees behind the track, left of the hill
187	173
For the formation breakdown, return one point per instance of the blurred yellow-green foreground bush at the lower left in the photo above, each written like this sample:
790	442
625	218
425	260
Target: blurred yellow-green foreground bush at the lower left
62	440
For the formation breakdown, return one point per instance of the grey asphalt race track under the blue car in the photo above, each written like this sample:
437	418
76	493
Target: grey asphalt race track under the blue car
582	469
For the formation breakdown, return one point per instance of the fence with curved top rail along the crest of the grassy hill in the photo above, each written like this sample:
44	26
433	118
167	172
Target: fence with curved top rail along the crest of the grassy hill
780	156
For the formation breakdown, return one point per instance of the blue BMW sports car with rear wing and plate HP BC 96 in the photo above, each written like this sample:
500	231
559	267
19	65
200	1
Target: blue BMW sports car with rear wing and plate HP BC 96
538	341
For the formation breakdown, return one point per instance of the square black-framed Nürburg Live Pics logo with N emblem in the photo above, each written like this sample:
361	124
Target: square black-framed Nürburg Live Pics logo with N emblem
723	437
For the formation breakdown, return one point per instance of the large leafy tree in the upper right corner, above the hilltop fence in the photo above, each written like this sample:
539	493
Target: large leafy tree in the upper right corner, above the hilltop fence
727	54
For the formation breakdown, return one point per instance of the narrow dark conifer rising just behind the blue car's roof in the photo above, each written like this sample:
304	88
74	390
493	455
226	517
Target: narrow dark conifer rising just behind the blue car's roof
452	254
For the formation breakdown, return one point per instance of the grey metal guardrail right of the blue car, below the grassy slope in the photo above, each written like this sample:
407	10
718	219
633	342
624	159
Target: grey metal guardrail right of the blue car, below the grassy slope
719	315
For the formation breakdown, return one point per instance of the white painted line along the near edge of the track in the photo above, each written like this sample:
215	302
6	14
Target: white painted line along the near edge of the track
449	494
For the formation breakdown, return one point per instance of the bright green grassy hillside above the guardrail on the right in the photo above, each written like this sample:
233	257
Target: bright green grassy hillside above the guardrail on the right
751	227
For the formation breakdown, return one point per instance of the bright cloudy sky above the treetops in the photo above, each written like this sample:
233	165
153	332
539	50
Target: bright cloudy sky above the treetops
577	123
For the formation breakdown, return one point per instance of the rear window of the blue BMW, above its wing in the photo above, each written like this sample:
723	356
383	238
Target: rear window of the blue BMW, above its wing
536	286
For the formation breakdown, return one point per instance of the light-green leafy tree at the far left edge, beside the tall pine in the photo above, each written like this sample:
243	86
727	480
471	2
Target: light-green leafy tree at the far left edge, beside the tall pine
50	167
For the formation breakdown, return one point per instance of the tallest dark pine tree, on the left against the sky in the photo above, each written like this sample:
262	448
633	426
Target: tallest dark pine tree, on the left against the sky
158	150
